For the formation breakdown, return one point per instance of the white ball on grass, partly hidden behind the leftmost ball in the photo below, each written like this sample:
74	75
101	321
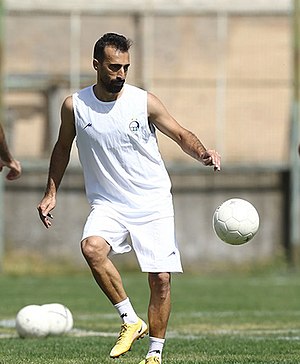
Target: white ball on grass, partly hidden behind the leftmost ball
59	317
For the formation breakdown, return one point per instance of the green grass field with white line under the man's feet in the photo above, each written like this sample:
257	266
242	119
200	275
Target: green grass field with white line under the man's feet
222	319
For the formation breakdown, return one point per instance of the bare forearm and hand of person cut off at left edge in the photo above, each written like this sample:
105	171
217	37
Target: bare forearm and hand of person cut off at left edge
6	159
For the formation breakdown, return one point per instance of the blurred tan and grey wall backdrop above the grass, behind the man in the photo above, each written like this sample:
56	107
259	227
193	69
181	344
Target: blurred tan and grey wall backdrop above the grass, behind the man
225	69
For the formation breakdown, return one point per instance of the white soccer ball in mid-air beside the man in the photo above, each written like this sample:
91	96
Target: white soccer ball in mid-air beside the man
236	221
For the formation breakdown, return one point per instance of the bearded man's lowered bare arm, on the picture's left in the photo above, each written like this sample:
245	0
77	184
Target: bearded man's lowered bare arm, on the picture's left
59	161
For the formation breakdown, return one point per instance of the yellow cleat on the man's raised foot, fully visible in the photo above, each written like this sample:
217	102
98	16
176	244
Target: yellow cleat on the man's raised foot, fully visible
128	334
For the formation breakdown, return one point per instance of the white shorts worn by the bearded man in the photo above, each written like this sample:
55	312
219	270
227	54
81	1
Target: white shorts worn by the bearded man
153	242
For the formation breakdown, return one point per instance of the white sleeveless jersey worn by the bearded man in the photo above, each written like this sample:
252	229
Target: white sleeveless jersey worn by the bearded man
119	154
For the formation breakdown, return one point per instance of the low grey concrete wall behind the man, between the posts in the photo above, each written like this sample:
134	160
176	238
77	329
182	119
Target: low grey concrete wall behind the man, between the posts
197	192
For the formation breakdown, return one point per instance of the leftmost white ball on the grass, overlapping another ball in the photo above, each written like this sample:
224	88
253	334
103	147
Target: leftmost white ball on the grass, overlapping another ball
31	322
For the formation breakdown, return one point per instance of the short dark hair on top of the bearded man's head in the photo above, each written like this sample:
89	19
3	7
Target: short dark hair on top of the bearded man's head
117	41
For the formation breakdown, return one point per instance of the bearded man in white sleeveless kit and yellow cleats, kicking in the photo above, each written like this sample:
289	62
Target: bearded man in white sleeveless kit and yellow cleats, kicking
127	186
